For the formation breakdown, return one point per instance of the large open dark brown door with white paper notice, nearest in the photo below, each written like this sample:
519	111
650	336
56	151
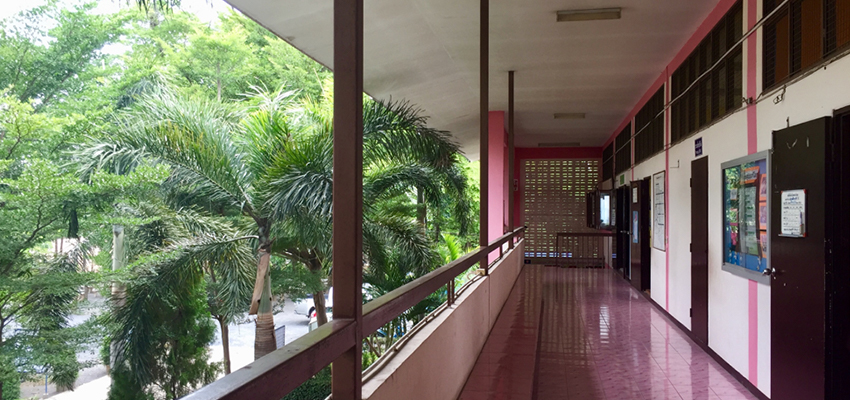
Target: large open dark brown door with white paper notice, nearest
798	287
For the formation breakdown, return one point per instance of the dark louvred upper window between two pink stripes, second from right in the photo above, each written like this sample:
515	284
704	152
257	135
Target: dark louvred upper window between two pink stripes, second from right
701	94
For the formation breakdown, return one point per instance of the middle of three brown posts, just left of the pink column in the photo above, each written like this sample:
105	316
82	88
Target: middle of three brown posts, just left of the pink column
484	62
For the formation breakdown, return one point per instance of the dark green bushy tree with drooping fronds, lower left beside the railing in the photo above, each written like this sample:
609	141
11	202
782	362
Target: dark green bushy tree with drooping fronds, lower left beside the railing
160	322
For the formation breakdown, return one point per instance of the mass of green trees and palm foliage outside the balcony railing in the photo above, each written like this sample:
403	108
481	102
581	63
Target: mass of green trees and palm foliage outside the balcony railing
163	140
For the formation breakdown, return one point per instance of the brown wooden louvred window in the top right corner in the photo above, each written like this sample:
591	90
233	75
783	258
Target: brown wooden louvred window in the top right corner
802	34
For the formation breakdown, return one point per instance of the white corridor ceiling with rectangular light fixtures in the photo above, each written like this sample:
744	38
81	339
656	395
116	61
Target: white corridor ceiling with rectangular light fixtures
426	51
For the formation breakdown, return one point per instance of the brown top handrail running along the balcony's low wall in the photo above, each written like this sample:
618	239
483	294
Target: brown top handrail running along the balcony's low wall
284	369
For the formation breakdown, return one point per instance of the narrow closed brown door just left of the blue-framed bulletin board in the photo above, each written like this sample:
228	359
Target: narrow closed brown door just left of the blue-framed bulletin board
699	249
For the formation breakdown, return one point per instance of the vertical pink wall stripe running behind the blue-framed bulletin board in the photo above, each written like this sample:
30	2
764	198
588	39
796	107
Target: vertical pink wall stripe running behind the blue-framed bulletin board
752	147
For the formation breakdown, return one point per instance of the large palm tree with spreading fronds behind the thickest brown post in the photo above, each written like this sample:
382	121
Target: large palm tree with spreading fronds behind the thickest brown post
272	167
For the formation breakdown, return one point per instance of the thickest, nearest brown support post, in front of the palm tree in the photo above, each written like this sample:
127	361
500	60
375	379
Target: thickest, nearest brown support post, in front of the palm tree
348	191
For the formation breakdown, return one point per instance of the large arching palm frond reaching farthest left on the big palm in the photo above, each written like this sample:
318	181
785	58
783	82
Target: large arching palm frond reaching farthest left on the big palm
192	136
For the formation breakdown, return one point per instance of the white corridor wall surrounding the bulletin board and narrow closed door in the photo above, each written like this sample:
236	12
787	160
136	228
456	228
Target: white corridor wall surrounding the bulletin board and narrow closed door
814	96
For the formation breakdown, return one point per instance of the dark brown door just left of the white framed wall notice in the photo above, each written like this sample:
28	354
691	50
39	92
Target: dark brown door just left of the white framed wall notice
639	234
